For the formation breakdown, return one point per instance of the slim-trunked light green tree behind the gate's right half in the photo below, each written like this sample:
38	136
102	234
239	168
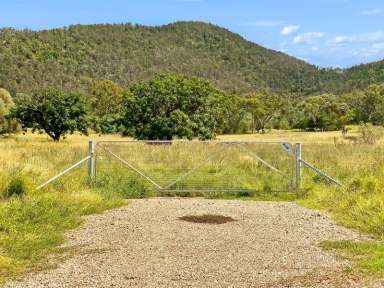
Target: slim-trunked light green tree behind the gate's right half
263	106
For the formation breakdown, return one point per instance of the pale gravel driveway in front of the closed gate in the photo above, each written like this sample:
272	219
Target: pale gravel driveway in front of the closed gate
145	245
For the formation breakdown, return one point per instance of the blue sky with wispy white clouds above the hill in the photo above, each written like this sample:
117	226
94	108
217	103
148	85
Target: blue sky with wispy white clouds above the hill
328	33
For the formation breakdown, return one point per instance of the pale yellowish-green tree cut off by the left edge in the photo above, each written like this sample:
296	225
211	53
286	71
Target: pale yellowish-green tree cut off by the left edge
7	125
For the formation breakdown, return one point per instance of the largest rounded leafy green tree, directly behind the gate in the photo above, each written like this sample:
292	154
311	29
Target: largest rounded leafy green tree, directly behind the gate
171	106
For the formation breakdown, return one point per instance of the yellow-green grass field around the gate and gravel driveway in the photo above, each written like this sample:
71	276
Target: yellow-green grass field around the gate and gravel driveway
32	224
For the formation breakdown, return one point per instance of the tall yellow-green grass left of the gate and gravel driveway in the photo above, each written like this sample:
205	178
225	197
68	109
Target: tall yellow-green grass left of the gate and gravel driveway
32	223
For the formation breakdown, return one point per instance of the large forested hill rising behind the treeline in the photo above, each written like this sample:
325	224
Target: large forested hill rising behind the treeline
69	58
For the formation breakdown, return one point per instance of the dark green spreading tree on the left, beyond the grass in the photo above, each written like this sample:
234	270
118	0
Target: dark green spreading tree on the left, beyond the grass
52	111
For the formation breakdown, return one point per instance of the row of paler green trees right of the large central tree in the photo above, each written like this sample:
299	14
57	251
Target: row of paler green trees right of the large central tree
265	110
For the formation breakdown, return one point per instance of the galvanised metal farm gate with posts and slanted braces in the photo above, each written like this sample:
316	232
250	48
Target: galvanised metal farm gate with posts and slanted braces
206	166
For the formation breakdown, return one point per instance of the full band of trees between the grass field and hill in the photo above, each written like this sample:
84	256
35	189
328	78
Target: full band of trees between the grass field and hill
172	106
